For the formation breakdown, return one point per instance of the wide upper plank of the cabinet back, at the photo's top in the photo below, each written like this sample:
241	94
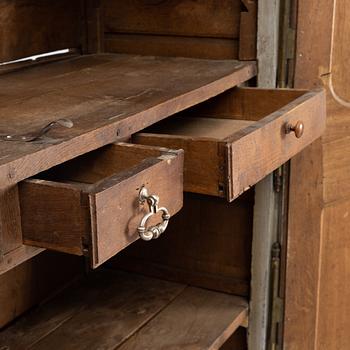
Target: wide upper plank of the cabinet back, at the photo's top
180	18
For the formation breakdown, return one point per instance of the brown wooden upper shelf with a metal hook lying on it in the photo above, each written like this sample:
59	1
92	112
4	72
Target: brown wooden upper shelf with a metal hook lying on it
106	96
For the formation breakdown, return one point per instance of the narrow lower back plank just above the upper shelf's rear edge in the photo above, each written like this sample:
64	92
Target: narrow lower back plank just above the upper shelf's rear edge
175	46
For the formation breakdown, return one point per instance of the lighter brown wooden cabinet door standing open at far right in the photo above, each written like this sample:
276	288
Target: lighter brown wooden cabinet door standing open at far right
321	320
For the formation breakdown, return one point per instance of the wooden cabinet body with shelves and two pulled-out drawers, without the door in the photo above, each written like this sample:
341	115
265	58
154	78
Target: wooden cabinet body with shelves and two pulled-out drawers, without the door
143	101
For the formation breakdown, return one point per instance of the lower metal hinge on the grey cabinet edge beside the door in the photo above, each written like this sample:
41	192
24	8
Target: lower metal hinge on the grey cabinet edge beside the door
276	302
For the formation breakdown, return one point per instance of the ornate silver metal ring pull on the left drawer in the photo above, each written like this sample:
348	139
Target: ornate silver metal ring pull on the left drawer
152	232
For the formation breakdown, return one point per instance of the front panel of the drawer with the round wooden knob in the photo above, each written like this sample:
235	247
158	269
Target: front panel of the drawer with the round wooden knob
262	147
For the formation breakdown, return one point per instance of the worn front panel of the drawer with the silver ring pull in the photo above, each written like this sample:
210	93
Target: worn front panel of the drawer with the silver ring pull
116	211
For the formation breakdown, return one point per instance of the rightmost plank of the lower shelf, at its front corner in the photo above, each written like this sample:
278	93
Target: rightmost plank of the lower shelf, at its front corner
197	319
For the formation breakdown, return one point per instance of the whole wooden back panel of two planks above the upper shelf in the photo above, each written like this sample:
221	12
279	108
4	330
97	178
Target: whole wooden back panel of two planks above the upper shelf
177	28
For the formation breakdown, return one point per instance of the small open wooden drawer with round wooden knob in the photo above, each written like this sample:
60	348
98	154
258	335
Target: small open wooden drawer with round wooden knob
234	140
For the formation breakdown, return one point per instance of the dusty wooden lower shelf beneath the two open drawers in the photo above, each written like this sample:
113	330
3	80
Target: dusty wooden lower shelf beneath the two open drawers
117	310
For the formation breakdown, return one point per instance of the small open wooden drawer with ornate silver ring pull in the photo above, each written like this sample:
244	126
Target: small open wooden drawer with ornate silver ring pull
91	205
